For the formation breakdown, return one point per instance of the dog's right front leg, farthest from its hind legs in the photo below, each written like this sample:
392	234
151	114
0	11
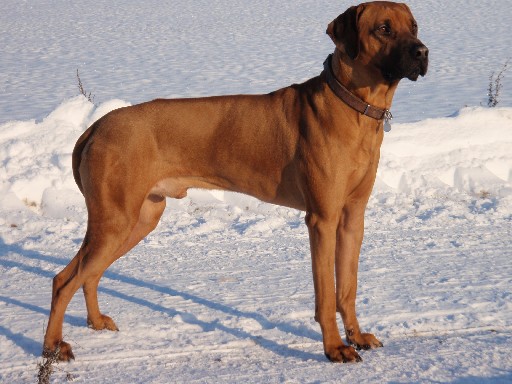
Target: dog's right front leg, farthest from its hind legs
348	245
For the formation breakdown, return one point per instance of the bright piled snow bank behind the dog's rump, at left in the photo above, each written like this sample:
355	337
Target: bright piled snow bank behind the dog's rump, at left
36	169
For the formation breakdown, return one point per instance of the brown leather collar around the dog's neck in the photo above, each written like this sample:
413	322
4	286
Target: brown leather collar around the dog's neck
352	100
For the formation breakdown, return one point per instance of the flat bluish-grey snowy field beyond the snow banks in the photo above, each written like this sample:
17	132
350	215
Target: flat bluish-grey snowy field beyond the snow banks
137	51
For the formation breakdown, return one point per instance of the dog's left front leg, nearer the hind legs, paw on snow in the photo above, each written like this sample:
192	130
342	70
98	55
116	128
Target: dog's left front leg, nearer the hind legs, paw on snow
322	237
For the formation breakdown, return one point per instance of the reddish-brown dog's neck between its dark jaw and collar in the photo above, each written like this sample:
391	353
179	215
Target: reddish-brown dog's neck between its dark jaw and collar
361	83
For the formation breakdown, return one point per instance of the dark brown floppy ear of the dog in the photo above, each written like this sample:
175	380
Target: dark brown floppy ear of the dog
344	31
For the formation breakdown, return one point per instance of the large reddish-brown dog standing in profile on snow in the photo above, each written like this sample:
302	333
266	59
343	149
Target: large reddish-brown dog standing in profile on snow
313	146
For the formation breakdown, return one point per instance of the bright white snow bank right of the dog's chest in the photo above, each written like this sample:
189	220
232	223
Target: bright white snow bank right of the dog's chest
467	152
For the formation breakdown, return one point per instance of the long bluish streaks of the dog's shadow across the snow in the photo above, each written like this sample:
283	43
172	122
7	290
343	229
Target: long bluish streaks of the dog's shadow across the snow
33	347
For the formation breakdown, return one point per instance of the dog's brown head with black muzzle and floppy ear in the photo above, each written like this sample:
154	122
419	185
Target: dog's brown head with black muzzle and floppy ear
381	35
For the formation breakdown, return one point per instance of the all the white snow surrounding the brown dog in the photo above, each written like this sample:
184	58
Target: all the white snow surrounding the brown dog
222	291
